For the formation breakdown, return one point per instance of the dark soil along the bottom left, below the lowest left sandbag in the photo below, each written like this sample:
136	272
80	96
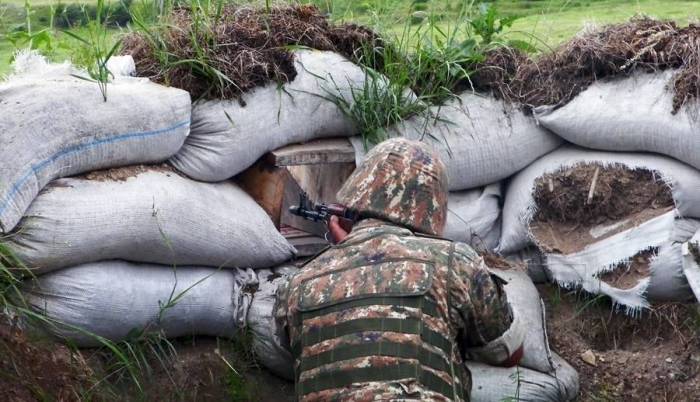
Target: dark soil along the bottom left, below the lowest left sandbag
42	369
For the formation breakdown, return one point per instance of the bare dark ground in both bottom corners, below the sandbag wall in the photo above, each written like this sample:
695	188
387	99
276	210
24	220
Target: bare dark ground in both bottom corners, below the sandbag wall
655	357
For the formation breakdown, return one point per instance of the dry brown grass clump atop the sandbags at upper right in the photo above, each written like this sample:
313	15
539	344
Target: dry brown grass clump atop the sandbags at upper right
557	77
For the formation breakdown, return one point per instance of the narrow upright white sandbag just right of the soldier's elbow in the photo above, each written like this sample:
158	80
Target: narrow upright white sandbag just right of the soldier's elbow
525	302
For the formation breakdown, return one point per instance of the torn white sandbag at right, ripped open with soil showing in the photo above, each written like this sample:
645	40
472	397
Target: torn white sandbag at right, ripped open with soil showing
611	227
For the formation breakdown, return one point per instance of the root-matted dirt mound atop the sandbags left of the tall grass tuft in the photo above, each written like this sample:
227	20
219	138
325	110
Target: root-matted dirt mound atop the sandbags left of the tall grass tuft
249	46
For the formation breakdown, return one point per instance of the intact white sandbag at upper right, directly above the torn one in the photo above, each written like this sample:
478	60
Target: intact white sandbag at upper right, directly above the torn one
629	114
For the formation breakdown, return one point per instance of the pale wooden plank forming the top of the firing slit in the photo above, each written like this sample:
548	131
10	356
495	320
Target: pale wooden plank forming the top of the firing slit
329	150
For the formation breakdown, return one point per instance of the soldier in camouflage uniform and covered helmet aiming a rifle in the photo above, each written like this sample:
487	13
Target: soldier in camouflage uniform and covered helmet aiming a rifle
391	311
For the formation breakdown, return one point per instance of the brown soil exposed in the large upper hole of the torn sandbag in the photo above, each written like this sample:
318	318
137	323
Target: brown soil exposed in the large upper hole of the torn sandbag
565	222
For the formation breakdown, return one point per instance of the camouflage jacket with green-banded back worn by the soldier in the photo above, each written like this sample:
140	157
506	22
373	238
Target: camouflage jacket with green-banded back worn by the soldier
386	315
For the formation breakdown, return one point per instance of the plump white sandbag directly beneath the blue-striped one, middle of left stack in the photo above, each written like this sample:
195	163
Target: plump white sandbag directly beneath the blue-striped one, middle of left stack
157	216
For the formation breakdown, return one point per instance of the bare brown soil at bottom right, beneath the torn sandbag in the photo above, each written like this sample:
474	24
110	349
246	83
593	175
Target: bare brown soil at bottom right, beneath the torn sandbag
655	357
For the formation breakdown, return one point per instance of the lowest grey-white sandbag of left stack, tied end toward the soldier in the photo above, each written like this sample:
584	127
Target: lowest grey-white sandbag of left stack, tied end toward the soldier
113	298
